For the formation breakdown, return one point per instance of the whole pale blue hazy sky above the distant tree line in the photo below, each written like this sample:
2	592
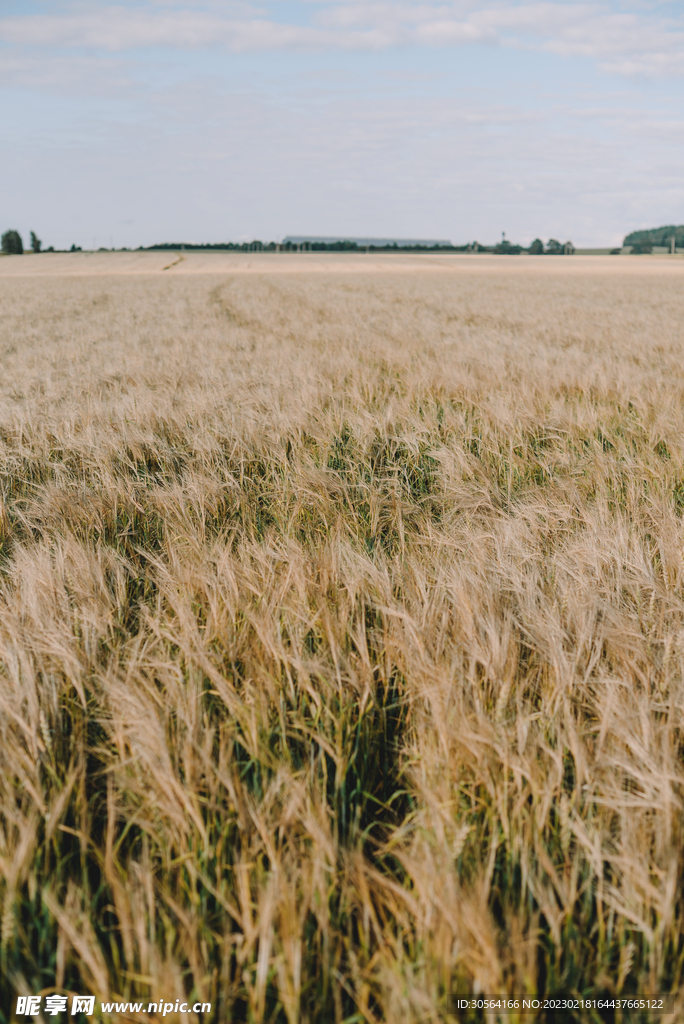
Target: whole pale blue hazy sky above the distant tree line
167	120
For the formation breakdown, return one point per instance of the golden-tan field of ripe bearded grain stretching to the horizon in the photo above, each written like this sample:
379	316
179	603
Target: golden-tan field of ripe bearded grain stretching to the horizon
341	631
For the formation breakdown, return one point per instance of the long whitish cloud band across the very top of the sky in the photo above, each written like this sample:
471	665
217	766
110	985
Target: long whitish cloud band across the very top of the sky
623	38
